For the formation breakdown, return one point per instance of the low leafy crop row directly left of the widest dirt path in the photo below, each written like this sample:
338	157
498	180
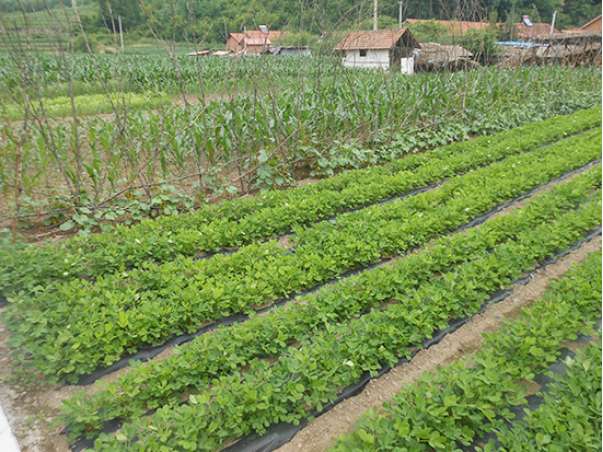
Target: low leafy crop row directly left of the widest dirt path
306	377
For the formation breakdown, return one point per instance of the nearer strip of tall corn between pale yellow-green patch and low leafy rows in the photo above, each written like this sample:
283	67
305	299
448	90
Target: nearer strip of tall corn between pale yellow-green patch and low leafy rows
267	139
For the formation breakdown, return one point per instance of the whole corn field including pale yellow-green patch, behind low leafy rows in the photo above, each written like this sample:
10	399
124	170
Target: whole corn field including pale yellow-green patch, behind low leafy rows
153	136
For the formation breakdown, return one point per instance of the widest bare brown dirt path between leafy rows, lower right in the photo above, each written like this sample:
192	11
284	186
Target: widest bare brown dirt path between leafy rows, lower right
321	433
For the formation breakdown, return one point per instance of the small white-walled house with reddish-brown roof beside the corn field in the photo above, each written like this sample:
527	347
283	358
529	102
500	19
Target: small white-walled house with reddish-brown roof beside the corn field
379	49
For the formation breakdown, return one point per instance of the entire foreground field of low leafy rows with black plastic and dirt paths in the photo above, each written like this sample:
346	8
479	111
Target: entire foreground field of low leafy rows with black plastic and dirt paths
252	322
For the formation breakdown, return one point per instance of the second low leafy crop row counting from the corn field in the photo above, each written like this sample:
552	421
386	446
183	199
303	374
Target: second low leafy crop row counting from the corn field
75	329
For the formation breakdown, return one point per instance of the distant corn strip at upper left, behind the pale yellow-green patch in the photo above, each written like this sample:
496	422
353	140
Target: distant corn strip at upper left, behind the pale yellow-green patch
159	72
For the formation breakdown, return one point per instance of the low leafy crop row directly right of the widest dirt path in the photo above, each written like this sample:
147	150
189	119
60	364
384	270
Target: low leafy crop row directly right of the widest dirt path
459	404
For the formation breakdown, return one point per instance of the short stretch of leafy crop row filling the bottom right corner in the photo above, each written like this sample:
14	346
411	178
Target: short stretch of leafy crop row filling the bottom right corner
570	416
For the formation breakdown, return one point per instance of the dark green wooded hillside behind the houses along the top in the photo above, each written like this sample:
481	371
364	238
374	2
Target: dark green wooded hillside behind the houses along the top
212	20
